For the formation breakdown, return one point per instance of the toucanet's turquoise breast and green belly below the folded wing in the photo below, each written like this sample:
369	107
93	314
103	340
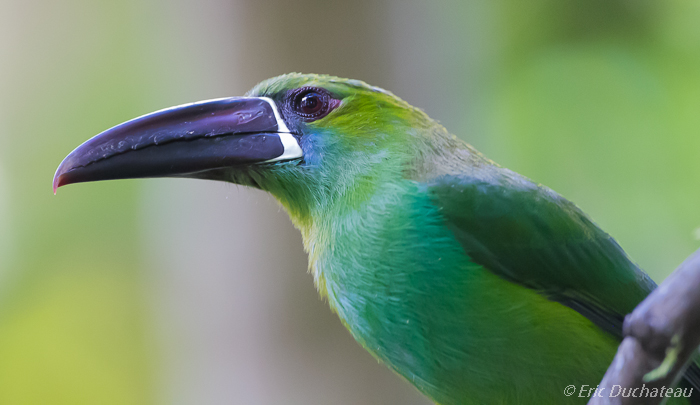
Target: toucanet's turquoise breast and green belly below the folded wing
404	288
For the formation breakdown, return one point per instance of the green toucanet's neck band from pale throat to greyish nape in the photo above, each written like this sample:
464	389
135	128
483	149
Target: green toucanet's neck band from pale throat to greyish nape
354	196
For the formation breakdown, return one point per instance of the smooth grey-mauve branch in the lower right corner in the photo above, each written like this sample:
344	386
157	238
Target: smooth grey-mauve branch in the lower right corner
661	335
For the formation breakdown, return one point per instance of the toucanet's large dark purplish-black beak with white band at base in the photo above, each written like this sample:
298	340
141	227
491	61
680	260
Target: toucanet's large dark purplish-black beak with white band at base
188	140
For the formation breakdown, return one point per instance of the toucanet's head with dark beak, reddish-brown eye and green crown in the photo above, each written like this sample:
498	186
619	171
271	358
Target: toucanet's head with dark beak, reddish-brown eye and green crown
307	139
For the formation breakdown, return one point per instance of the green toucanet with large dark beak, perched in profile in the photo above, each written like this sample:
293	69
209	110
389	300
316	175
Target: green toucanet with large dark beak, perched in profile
472	282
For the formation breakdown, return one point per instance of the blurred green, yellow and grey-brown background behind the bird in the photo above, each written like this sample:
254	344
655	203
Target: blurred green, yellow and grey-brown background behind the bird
163	291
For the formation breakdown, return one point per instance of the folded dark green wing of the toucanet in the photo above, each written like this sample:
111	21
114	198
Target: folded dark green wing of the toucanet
530	235
